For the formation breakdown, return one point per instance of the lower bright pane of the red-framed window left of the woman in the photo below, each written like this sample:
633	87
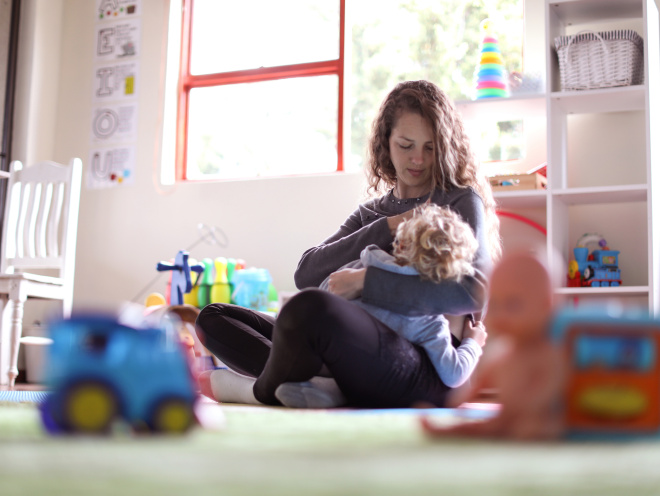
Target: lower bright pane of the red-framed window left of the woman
270	128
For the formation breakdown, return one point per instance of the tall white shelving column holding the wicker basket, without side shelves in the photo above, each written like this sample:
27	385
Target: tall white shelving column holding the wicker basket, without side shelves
566	17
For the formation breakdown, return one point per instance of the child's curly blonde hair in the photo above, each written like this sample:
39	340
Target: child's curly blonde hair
437	243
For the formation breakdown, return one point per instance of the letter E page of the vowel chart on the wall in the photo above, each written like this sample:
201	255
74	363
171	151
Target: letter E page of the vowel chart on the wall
117	40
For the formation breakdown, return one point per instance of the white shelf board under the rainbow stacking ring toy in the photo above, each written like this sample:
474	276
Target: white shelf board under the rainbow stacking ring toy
514	107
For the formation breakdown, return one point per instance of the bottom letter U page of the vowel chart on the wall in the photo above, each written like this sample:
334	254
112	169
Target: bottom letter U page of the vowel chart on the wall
111	166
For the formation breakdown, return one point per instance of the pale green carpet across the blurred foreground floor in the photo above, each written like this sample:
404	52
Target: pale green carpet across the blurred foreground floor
264	451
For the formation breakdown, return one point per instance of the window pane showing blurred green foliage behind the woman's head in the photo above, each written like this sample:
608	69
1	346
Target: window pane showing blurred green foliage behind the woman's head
422	39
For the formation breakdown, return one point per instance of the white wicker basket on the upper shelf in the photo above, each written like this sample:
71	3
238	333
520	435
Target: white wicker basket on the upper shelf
590	60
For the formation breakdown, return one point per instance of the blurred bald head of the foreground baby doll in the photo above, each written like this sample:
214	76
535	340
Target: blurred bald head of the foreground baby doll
520	302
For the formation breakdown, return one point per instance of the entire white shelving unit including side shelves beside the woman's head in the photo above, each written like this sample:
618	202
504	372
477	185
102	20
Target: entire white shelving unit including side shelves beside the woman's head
563	200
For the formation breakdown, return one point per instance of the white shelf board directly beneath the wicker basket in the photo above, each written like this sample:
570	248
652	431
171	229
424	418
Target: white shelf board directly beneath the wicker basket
620	99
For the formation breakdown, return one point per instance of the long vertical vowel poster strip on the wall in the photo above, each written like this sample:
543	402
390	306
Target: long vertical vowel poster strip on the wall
113	123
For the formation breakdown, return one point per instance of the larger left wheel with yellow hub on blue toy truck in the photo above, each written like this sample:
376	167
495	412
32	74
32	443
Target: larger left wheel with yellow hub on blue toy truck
90	407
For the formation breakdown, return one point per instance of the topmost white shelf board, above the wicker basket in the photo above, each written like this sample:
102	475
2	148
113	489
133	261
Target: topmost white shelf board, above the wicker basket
571	12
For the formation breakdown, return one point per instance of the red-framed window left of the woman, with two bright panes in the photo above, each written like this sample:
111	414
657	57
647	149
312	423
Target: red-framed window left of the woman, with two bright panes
261	88
